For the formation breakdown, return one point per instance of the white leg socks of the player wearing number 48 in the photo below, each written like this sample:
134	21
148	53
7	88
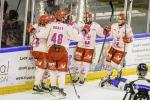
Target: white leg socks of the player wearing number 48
57	75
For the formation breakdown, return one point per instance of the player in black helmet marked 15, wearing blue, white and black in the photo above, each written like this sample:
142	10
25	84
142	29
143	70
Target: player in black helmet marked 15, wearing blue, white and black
137	89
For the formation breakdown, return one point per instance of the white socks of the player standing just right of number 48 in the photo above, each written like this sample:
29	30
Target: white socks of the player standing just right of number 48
81	68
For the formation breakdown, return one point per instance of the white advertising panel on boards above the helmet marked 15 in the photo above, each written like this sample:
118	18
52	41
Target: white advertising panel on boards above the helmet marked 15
138	52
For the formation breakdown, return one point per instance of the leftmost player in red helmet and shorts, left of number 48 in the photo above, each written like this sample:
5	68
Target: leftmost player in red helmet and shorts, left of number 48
39	50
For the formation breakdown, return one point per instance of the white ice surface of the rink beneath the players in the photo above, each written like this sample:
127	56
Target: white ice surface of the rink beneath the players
89	91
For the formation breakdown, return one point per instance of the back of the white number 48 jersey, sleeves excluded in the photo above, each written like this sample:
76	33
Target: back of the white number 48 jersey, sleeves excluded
58	34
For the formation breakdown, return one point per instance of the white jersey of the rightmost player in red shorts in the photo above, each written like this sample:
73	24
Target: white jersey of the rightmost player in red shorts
117	33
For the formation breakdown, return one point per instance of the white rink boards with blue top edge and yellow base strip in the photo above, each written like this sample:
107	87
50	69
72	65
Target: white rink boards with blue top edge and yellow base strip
17	65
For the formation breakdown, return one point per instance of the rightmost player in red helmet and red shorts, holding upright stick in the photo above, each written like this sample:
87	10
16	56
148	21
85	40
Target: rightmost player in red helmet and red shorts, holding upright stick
122	36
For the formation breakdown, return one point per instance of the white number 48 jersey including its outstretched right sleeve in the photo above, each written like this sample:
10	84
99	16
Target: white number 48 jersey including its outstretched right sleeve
61	34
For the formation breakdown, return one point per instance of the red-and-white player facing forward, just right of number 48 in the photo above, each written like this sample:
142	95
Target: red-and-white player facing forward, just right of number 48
85	50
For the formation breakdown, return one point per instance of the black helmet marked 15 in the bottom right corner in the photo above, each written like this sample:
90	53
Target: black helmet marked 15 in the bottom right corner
142	69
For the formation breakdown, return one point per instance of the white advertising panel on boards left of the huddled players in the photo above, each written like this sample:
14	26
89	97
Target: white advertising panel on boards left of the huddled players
16	68
